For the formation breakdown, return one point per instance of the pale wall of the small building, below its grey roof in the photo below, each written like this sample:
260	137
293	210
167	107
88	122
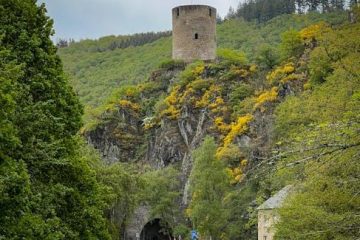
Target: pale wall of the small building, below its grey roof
266	222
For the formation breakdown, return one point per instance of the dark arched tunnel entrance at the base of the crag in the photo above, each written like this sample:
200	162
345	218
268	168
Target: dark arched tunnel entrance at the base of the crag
154	230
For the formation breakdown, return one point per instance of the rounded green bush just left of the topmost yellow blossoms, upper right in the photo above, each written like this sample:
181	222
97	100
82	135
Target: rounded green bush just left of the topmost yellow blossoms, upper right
291	44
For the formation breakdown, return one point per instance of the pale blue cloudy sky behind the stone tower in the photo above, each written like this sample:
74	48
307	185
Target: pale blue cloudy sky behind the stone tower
82	19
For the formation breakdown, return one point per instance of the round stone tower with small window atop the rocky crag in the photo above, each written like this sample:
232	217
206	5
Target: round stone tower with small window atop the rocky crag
194	33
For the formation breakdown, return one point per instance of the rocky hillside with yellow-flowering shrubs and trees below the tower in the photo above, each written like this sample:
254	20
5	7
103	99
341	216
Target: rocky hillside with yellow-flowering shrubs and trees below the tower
227	135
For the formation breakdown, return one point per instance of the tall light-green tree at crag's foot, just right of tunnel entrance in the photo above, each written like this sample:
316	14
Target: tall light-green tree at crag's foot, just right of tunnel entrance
209	183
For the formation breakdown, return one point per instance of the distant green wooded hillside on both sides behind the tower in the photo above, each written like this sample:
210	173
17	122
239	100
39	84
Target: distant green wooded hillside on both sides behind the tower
95	74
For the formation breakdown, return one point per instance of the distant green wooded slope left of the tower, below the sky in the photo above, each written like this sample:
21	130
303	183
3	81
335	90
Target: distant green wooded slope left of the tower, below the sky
94	75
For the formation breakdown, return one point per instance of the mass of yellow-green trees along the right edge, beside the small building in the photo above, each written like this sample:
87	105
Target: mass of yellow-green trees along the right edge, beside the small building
320	146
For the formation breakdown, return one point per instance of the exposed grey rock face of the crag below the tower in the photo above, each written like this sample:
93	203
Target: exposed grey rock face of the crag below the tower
121	136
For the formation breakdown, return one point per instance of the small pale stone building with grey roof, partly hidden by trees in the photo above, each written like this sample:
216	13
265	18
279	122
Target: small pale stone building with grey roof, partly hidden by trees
268	216
